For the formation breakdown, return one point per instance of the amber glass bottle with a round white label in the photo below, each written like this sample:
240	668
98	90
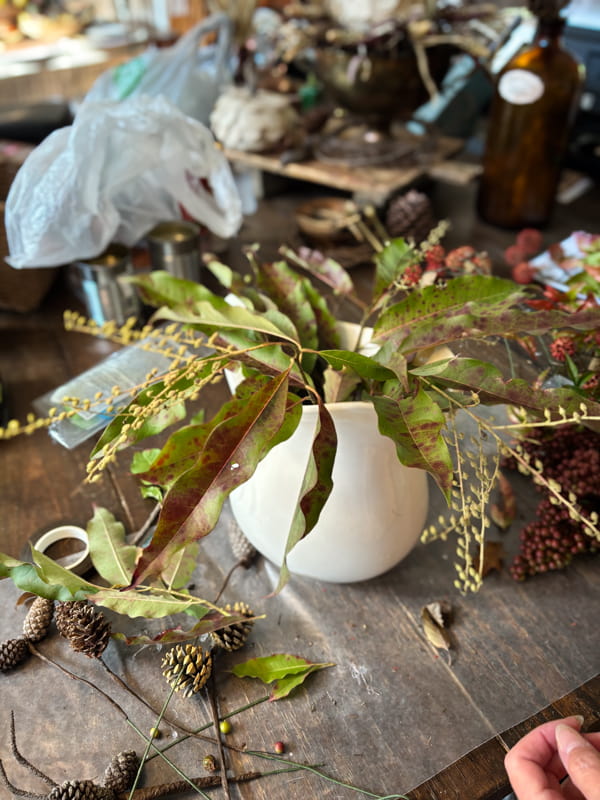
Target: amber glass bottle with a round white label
533	107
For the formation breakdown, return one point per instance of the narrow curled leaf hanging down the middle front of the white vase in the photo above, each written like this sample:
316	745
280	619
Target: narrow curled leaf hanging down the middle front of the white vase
316	486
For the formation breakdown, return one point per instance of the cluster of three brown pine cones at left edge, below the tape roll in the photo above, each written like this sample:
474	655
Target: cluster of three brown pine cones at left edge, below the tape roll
86	629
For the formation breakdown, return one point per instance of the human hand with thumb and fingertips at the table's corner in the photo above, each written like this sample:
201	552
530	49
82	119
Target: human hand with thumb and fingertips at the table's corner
538	764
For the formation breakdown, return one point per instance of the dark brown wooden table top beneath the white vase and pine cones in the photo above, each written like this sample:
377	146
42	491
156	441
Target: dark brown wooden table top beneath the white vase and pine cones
391	714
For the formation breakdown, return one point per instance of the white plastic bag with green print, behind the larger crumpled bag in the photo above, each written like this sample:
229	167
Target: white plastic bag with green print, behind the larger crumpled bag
191	77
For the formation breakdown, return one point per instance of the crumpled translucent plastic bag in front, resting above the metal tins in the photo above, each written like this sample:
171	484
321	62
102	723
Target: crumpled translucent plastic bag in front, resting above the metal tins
110	177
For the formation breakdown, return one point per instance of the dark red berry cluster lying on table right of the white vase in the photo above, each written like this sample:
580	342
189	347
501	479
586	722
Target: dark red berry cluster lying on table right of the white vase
571	456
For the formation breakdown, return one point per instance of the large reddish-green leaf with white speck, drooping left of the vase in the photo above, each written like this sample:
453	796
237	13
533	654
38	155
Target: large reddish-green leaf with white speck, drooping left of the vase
234	447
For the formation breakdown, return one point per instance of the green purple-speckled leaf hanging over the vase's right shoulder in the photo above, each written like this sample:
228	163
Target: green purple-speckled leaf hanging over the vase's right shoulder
415	426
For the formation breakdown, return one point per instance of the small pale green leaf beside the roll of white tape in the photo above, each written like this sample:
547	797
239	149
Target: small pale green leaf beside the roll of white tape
111	556
